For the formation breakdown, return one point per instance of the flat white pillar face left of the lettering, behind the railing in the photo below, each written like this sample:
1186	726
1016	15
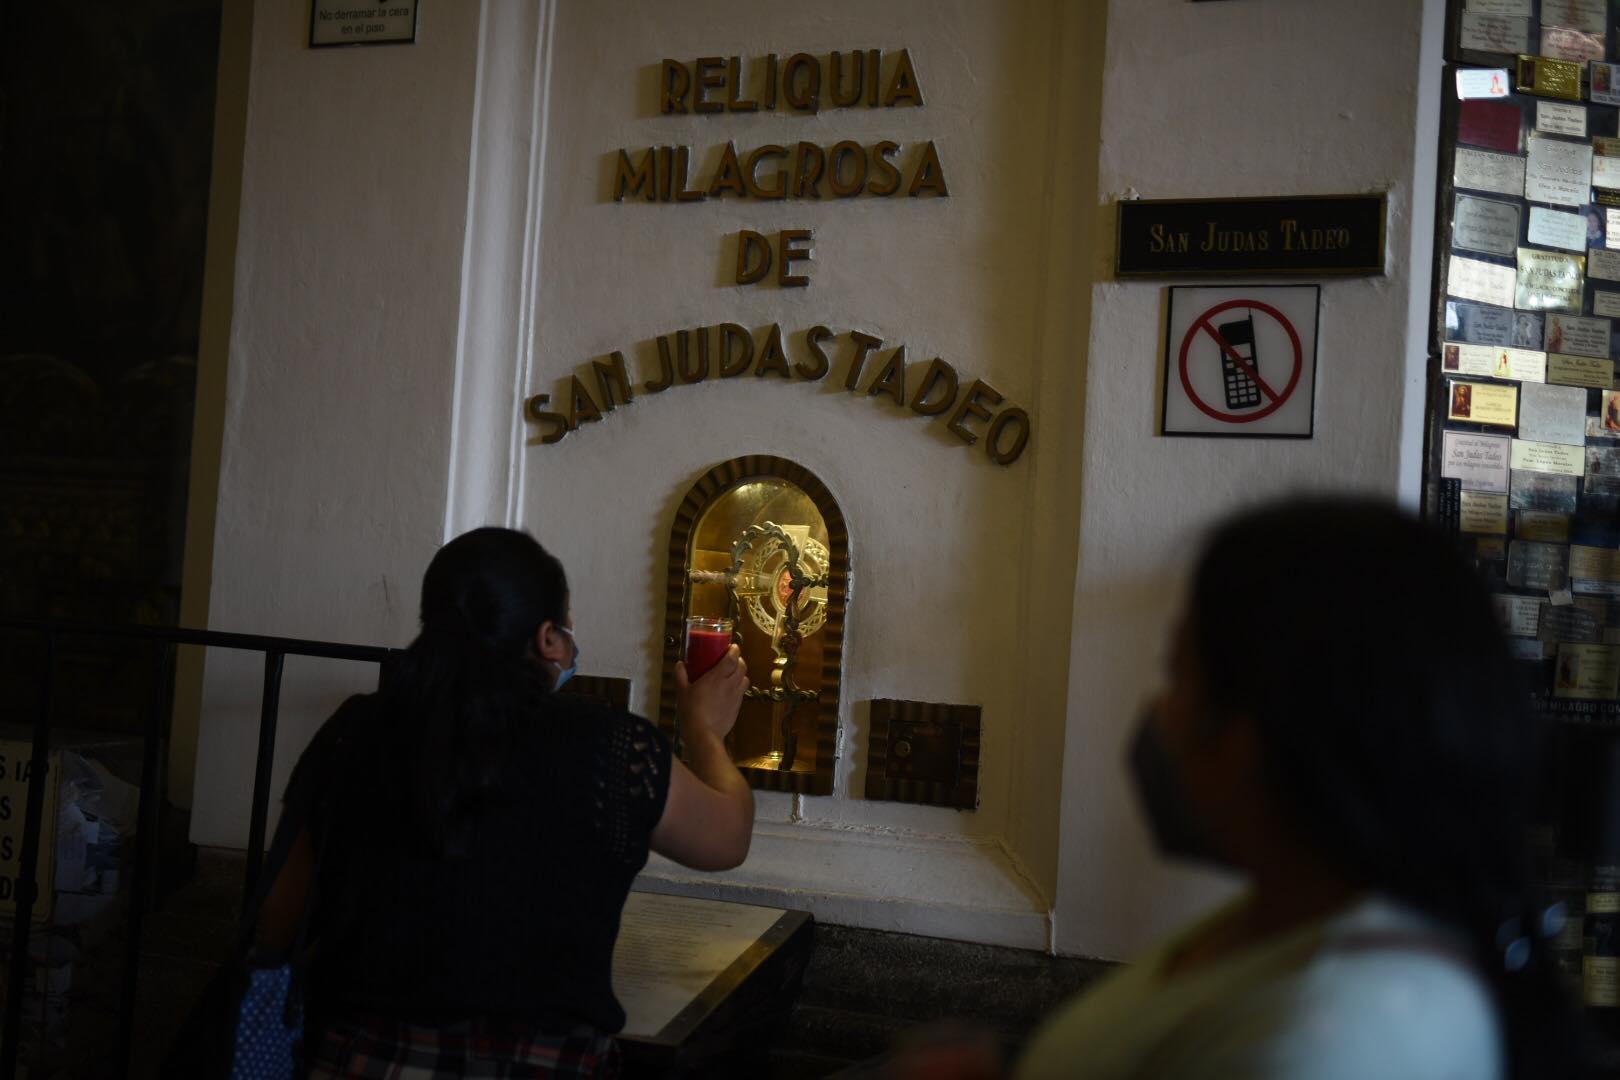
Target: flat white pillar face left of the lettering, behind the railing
343	352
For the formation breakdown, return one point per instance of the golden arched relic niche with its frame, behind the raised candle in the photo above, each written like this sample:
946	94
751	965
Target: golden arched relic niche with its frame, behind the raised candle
752	535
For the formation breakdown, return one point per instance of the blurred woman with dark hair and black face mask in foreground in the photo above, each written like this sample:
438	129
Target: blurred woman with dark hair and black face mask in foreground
1365	760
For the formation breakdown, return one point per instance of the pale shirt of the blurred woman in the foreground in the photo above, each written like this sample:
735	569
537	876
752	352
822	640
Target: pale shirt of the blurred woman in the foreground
1292	1008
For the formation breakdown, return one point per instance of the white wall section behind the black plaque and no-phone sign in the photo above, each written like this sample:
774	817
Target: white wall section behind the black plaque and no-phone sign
1224	100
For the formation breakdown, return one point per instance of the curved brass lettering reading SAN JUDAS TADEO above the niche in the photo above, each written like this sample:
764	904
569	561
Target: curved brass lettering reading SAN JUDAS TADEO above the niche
730	352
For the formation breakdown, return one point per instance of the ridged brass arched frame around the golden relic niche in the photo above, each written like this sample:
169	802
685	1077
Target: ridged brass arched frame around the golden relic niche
704	493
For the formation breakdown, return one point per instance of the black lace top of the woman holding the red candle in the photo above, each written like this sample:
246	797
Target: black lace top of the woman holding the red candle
521	930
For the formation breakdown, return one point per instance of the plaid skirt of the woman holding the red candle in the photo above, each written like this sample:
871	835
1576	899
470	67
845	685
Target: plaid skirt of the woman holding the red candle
386	1050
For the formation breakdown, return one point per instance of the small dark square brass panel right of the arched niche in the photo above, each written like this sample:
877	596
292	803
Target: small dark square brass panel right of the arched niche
923	752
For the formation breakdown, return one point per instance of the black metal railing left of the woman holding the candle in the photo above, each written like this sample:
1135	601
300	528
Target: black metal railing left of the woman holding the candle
155	752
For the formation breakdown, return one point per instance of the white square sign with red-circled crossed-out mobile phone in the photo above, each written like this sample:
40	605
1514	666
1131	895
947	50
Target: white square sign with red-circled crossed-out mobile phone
1240	360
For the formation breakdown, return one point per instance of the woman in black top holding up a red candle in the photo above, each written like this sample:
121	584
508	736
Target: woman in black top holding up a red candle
471	835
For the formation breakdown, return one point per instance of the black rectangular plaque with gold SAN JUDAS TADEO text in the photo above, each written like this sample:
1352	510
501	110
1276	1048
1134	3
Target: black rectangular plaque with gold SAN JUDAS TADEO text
1334	234
